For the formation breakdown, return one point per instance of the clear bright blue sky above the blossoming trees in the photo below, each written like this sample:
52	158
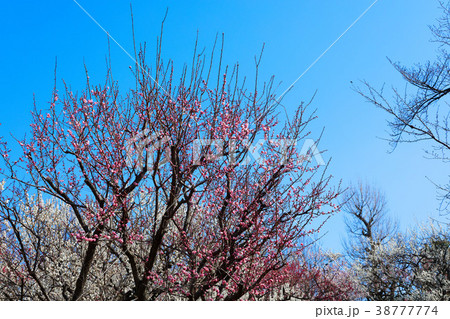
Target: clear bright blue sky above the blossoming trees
33	33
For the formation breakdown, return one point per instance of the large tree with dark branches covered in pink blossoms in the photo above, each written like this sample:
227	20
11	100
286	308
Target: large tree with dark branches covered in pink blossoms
171	191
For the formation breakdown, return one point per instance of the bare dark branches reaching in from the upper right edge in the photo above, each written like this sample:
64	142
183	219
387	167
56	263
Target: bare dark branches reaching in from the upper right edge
421	112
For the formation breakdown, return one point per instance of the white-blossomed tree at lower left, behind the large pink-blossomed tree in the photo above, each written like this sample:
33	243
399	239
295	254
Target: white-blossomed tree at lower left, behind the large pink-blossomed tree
40	258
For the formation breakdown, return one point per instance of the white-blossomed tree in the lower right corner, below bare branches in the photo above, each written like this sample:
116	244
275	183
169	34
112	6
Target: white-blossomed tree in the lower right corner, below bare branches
415	266
